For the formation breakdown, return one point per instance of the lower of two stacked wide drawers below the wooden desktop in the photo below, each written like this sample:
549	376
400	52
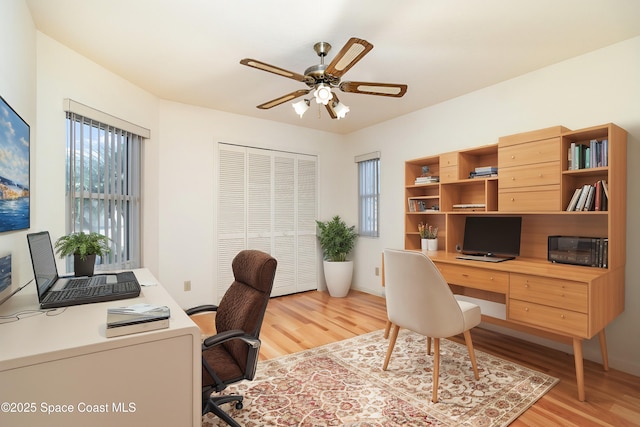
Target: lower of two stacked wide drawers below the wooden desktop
565	321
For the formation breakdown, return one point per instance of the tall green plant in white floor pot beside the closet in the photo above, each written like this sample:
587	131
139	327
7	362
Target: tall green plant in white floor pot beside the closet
337	241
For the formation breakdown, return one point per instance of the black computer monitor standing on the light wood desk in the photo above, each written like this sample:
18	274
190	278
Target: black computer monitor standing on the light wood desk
492	236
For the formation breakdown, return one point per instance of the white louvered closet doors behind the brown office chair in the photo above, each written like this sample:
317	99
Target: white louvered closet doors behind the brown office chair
268	201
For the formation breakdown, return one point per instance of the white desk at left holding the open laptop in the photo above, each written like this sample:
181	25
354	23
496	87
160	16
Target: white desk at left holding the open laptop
63	363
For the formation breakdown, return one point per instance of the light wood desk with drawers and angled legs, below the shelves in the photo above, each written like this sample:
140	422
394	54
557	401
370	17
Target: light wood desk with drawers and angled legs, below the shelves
561	302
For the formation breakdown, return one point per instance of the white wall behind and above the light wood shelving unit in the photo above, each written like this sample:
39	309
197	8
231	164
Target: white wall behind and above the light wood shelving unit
593	89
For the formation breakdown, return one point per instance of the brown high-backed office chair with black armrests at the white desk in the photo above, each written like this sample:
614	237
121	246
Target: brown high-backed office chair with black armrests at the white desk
231	355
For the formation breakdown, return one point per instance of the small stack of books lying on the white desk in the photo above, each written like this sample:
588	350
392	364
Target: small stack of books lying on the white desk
136	318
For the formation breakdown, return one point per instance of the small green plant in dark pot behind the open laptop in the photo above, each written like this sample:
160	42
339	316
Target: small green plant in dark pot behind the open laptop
84	247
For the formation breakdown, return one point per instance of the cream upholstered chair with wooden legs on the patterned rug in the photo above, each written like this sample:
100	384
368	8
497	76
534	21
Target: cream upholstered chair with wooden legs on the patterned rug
419	299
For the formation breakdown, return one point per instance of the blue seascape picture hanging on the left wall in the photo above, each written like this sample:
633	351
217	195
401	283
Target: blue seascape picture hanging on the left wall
14	170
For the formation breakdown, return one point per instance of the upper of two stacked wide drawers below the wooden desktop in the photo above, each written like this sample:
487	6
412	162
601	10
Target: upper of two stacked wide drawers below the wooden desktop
547	291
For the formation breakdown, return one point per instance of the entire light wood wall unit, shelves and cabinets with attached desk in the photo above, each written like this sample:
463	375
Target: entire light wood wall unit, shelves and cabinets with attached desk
538	174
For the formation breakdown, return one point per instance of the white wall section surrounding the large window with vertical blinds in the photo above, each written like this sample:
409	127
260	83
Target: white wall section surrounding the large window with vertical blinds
62	73
